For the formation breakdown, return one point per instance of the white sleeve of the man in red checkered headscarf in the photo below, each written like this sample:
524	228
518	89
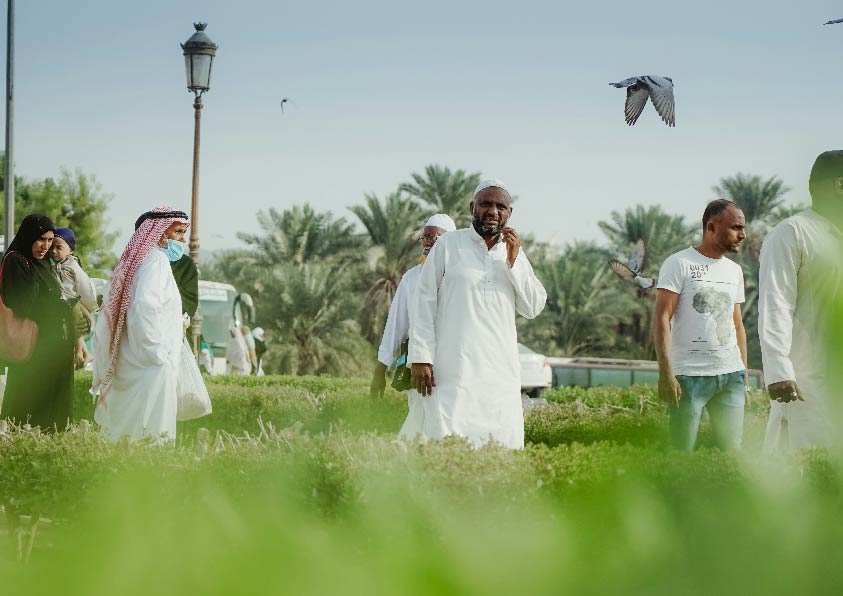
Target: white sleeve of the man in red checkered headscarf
148	339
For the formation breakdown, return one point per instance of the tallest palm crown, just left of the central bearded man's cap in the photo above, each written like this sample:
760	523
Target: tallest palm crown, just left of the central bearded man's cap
440	190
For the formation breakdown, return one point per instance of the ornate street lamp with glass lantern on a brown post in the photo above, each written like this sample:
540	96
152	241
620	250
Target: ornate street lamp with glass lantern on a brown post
199	52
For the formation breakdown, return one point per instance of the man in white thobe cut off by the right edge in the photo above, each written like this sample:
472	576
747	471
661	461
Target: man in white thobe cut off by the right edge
801	281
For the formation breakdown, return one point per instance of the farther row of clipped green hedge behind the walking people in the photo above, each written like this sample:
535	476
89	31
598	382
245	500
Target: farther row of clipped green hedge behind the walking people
573	415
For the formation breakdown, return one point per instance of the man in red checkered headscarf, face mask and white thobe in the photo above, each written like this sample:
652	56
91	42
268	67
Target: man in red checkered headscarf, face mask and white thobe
139	333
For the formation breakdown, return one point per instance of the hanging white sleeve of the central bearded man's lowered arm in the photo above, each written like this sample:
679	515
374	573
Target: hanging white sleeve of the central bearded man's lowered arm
422	333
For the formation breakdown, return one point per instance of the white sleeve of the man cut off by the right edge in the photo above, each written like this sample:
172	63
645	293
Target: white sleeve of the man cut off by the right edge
780	262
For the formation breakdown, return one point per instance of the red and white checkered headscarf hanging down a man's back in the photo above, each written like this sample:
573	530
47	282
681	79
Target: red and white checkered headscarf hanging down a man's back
115	306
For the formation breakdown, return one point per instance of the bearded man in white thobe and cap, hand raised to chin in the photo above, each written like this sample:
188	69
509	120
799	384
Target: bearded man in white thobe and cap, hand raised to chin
463	345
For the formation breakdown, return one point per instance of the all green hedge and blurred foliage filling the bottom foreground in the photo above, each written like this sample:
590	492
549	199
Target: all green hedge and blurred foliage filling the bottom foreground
297	485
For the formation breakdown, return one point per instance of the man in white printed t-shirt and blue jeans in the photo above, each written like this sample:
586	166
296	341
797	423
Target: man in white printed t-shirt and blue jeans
699	333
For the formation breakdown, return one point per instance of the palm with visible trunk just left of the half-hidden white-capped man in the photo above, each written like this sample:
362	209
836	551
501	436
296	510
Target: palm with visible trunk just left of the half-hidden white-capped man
392	228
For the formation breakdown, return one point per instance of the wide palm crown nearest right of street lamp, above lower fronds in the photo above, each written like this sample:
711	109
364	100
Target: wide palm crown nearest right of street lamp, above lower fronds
299	235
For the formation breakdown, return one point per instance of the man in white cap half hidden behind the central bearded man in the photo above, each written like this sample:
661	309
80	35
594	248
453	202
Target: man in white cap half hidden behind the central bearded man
398	320
